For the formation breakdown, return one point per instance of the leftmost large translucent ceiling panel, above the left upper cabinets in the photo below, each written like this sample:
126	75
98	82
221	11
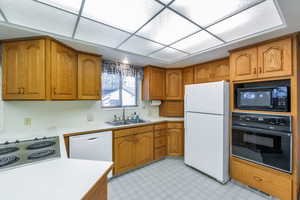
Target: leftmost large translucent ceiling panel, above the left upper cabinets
38	16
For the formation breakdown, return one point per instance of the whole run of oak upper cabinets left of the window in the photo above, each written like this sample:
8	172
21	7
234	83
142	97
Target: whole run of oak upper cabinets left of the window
45	69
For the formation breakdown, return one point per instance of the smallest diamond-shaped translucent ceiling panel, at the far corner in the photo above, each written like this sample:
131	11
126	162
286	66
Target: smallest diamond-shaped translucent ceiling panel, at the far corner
168	54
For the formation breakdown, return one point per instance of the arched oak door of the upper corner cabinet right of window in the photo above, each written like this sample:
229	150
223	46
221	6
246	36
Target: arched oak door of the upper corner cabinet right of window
174	85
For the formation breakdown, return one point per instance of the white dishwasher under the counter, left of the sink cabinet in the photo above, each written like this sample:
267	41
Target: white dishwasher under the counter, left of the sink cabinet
94	146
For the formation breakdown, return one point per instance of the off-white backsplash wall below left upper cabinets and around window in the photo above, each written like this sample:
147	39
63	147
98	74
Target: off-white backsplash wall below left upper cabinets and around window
60	114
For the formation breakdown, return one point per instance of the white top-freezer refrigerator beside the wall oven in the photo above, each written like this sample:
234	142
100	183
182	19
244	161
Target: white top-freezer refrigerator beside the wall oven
206	128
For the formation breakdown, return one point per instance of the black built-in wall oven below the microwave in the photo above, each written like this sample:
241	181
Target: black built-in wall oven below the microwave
263	139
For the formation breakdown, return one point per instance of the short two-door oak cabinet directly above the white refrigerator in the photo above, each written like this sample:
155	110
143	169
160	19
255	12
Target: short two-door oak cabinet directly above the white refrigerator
212	71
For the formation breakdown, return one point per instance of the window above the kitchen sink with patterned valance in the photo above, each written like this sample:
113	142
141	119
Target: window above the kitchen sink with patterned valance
118	90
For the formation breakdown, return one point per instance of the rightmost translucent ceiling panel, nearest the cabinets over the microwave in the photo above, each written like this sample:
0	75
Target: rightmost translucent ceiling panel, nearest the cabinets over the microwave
254	20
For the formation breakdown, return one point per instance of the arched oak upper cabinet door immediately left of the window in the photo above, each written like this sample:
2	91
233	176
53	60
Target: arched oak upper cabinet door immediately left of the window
89	74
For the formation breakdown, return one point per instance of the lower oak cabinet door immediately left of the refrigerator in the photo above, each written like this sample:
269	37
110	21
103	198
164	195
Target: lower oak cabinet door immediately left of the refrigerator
175	139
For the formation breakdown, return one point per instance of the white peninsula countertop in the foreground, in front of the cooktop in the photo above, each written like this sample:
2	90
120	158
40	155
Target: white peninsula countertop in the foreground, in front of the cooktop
52	180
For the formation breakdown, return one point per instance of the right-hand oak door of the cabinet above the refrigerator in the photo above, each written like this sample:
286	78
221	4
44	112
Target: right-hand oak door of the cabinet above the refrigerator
220	70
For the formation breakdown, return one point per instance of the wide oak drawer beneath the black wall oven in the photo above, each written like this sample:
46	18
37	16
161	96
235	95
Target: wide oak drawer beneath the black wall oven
273	182
